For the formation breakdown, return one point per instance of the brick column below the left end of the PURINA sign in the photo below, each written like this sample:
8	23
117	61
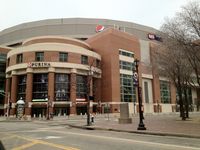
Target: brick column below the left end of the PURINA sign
29	95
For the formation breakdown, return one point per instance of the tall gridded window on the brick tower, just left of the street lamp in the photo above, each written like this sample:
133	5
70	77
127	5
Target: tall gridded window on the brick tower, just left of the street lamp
128	93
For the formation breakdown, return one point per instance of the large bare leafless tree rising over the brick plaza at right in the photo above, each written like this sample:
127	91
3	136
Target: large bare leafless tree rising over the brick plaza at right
180	54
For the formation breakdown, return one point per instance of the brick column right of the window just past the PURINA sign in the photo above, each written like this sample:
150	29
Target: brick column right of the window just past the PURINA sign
73	91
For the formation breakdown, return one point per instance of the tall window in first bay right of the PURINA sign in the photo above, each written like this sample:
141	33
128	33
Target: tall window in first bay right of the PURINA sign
62	87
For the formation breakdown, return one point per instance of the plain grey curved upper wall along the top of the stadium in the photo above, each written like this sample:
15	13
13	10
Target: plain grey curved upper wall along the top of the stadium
80	28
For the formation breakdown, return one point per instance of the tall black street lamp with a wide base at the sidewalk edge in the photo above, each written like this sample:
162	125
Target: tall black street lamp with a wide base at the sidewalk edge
141	125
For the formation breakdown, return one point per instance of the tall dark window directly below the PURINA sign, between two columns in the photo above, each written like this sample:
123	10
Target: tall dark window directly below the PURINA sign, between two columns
40	86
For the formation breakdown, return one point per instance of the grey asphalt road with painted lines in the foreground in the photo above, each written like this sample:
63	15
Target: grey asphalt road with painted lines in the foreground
52	136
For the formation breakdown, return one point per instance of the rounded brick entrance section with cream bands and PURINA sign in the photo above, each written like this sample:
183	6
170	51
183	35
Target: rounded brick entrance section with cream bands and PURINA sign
52	76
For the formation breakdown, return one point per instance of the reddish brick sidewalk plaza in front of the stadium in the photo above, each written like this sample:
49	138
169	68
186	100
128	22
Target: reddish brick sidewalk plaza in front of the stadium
164	125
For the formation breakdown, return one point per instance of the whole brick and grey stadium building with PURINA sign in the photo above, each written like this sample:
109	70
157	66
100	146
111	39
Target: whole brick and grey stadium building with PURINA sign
52	64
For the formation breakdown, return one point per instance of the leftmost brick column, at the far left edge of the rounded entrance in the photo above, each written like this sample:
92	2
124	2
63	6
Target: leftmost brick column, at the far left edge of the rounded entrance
7	93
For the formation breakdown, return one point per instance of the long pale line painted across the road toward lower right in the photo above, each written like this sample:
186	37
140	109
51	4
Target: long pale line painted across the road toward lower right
129	140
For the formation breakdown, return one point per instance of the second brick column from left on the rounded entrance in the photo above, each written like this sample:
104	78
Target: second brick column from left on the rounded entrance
14	91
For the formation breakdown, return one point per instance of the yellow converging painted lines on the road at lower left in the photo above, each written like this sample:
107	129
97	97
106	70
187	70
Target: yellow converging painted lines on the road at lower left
33	142
